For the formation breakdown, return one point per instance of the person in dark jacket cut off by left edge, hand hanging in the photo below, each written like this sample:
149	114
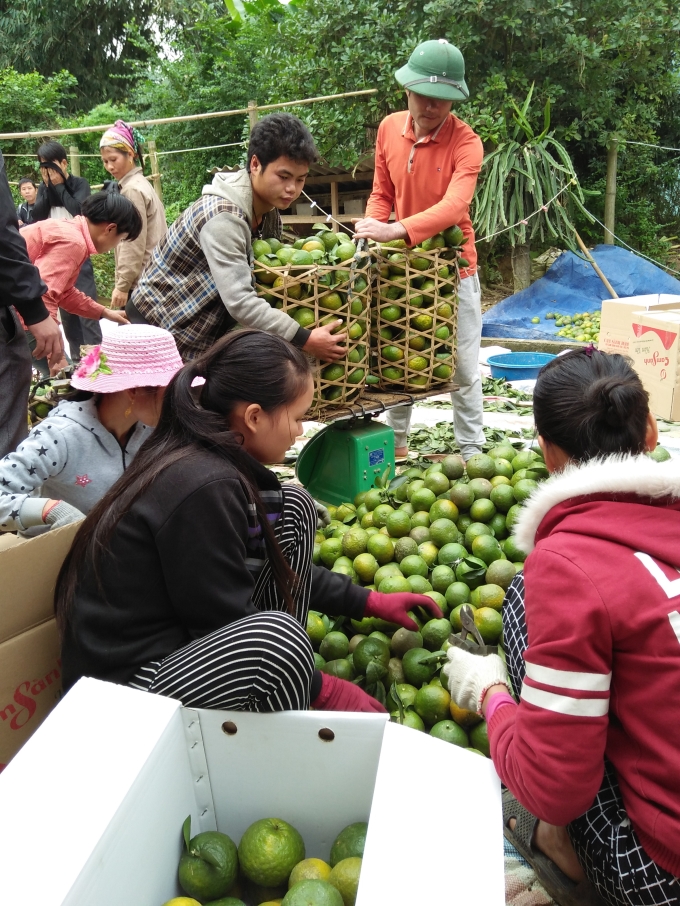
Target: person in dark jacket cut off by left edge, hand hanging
22	288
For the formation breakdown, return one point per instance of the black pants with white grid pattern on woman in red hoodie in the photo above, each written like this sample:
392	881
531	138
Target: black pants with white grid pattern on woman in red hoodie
604	840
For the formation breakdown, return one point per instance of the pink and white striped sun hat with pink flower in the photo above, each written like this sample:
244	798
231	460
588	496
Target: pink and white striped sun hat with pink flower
134	355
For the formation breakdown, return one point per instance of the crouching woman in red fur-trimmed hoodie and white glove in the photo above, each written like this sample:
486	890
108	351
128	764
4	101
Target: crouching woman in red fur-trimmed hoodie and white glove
592	633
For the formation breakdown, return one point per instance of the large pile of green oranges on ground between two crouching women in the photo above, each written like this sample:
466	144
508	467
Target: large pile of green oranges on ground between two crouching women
445	532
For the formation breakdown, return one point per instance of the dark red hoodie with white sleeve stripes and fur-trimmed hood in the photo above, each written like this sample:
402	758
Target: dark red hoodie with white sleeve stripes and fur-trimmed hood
602	594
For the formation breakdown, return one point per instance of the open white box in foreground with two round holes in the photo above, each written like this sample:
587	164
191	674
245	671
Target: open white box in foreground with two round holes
93	804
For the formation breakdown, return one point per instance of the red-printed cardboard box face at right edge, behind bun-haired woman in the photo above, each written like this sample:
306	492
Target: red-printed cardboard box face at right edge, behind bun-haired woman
655	353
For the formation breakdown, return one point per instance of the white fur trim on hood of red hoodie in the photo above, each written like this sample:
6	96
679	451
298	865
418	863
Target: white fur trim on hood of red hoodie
616	474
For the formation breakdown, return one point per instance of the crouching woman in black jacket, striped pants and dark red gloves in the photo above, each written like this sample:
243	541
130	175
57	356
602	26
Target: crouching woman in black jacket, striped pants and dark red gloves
193	576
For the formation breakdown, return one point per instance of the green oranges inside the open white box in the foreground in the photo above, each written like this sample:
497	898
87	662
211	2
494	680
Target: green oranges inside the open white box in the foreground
268	868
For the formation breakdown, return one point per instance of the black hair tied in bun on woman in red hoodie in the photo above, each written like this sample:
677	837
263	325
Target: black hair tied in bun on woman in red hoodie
590	404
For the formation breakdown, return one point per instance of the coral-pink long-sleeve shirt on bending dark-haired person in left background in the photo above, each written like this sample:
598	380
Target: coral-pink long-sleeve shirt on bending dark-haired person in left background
58	248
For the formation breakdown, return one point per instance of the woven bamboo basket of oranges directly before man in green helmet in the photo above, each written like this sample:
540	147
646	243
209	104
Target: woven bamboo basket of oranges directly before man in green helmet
414	314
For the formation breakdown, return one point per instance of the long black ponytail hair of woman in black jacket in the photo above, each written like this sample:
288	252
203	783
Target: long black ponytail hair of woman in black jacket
245	365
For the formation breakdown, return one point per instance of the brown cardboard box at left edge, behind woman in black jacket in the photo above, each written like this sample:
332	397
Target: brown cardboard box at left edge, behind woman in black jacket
30	670
